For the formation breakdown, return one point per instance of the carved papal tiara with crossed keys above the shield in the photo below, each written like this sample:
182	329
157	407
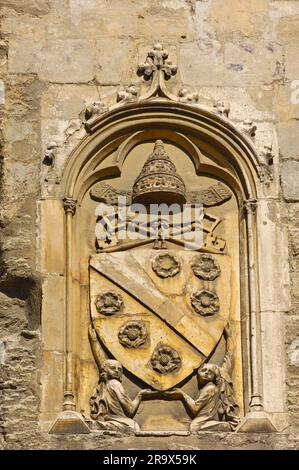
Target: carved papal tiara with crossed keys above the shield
158	182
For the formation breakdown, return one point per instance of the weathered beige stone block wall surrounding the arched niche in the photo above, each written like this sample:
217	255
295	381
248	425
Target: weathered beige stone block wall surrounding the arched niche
56	55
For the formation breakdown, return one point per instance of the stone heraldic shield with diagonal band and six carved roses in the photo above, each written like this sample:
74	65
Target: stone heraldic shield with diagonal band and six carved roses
160	313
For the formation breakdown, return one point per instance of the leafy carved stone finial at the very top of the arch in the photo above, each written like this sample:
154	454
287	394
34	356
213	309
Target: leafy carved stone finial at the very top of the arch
157	59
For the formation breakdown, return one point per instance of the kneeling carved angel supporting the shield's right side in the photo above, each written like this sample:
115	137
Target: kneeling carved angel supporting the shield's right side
215	408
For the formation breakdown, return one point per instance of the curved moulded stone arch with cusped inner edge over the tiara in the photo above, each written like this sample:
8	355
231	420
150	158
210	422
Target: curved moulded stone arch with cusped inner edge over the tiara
160	118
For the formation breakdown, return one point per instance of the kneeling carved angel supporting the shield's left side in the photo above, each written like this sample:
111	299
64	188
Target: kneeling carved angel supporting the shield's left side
111	407
